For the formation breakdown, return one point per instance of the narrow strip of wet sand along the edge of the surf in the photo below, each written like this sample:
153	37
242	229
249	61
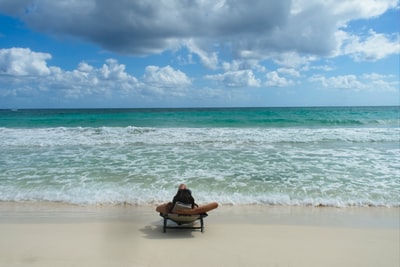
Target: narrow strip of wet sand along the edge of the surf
43	212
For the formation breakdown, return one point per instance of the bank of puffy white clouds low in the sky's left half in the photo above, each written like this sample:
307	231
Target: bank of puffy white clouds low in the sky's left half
28	71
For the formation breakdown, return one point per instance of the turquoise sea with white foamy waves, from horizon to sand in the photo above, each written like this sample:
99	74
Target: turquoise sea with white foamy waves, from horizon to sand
334	156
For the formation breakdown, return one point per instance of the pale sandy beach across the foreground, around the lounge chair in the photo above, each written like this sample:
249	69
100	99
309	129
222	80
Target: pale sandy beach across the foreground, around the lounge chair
48	234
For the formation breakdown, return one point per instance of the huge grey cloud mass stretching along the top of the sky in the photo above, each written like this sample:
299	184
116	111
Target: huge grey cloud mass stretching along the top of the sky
255	29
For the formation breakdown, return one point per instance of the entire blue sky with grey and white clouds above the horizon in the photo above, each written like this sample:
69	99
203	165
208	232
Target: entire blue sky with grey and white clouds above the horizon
210	53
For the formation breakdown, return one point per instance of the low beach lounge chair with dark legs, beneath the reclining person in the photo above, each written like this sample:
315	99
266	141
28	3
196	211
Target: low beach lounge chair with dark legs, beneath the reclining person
183	221
